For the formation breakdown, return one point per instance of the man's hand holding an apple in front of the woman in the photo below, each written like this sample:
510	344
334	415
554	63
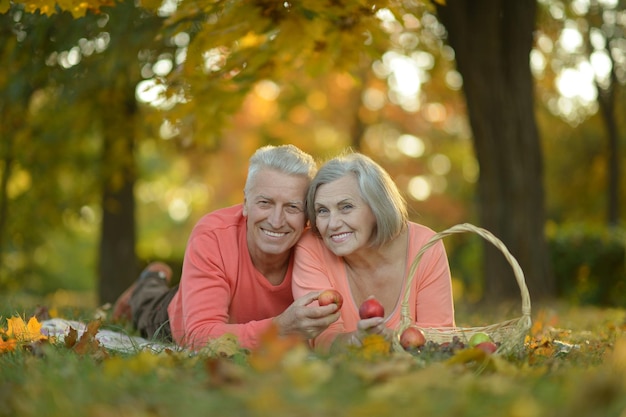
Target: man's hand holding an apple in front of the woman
304	319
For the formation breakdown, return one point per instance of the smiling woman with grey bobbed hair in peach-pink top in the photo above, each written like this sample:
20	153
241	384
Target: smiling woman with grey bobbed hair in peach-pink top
361	243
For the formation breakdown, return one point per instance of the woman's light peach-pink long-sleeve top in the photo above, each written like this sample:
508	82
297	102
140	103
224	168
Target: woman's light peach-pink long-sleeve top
431	304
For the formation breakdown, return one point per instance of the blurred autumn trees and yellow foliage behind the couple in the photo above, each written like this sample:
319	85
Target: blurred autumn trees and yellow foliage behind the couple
122	125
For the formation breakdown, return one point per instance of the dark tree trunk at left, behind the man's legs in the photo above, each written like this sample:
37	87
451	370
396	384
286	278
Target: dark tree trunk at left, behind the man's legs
118	265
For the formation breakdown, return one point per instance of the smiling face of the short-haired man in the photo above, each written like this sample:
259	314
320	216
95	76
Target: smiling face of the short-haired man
274	208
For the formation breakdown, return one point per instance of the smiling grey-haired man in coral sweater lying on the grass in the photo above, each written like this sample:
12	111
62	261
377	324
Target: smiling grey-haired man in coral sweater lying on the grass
238	264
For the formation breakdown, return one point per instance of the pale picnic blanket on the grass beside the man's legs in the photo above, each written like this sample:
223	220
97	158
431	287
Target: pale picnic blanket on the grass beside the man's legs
110	339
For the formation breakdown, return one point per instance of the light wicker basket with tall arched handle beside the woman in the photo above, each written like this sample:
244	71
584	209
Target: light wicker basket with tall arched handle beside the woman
508	334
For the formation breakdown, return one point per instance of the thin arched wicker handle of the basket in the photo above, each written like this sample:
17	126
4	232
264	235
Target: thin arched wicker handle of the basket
460	228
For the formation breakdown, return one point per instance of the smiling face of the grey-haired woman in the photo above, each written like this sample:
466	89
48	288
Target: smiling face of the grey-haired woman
345	221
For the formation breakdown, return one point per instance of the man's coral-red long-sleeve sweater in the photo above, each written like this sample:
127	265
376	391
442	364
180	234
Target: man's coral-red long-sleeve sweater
220	289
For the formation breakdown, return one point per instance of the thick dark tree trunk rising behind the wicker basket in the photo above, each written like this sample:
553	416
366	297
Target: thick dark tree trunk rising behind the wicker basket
492	40
